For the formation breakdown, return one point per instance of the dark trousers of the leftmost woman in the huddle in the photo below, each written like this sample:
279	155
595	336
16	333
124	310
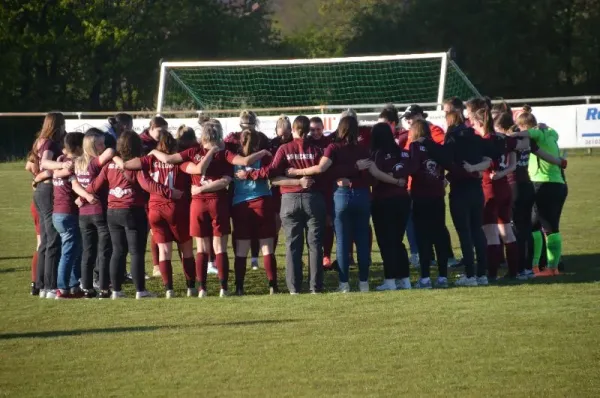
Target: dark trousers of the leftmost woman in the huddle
49	250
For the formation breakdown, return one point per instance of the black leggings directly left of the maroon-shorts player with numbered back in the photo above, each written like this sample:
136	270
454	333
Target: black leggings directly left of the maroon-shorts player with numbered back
128	229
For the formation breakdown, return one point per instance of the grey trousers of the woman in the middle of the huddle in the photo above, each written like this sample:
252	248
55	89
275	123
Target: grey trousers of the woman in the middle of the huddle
300	211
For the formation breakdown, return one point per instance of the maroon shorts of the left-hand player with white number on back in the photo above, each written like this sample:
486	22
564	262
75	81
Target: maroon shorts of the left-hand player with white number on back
169	223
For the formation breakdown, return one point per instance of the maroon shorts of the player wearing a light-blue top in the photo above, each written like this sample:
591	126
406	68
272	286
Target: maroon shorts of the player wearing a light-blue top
254	219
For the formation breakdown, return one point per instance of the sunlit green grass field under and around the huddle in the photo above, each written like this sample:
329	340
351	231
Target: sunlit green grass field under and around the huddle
533	339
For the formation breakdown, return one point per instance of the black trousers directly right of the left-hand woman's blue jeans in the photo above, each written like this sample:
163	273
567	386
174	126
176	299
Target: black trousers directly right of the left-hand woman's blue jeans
97	250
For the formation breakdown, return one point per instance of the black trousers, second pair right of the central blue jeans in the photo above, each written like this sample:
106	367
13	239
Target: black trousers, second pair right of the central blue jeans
429	217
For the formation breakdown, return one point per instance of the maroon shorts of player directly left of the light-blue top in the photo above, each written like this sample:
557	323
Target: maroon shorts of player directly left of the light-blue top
209	217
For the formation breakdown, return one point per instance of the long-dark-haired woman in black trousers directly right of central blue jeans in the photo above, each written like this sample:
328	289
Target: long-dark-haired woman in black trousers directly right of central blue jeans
390	206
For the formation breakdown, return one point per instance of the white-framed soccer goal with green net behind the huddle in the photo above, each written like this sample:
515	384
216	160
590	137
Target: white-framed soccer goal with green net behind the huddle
323	84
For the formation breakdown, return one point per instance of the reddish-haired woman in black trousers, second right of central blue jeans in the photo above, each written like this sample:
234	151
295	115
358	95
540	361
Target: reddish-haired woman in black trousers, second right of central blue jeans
429	210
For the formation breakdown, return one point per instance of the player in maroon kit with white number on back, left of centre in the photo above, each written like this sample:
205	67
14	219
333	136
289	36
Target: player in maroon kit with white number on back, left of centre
168	217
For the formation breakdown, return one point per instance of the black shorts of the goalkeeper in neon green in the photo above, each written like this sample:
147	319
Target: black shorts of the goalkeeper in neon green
550	198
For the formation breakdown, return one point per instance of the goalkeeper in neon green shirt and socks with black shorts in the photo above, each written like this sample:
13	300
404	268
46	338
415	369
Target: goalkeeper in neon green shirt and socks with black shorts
550	191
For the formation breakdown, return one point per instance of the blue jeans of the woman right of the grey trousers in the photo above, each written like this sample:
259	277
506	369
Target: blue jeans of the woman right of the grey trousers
352	211
